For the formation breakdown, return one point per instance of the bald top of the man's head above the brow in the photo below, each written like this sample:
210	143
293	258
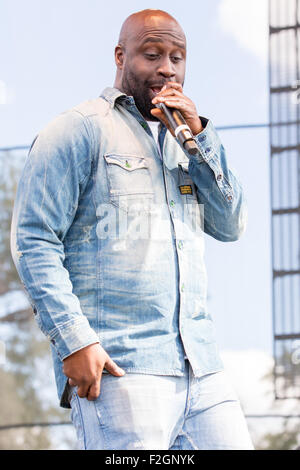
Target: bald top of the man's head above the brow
145	21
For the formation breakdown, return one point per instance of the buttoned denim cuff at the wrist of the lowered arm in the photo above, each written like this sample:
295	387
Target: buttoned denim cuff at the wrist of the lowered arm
72	336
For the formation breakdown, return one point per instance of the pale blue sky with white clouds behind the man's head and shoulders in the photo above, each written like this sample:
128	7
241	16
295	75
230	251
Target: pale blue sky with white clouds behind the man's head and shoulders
55	54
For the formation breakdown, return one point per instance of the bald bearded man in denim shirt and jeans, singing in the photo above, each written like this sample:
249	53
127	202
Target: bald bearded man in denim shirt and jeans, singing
107	236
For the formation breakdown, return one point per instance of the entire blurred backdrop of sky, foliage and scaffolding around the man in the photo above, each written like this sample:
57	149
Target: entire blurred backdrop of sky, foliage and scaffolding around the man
243	73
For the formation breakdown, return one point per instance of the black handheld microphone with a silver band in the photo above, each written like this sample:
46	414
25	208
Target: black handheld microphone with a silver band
180	128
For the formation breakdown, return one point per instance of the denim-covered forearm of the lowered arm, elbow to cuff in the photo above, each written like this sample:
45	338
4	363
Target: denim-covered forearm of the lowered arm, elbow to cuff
49	289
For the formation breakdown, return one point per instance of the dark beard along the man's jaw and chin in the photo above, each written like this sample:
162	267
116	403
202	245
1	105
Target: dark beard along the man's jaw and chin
140	91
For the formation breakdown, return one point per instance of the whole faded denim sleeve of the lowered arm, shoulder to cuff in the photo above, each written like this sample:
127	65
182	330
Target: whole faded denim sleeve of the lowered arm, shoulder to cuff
45	205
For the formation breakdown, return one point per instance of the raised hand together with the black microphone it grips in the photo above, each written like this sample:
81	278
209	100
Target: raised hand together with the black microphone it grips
179	114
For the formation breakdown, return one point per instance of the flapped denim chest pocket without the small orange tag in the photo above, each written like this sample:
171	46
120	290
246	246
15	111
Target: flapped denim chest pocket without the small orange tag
129	181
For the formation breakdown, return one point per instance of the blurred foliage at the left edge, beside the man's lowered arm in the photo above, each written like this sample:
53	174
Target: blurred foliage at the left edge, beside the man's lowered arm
27	350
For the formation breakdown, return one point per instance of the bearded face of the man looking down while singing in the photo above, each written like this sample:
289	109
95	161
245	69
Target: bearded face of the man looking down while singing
154	56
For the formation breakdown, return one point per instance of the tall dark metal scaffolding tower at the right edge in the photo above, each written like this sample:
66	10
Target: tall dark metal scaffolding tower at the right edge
284	82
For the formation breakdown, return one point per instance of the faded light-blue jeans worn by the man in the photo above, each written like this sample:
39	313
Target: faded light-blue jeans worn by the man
154	412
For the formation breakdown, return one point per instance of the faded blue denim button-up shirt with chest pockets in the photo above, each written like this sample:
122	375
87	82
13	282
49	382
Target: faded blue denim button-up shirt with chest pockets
108	238
